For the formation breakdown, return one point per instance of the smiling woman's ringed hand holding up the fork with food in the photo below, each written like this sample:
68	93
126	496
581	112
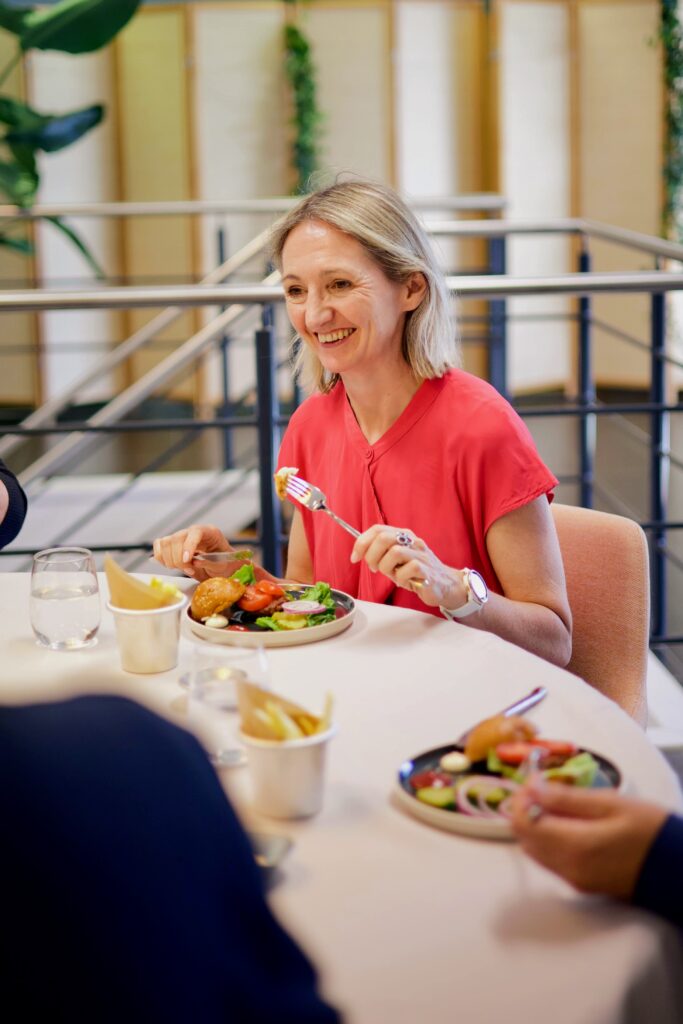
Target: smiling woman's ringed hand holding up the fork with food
403	563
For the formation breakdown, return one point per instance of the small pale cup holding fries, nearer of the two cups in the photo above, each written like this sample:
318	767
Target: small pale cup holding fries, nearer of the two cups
288	778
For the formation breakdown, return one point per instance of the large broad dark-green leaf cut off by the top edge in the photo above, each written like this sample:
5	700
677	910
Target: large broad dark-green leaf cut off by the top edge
76	26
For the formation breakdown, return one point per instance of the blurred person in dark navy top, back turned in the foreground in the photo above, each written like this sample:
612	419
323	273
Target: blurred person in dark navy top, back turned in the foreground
131	891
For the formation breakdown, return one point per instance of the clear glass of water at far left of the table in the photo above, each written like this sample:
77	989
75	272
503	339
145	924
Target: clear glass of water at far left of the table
65	599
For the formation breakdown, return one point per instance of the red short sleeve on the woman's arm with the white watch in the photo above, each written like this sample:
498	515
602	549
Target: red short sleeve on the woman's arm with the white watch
500	470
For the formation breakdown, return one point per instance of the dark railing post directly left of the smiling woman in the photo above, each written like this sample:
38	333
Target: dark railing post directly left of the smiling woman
268	416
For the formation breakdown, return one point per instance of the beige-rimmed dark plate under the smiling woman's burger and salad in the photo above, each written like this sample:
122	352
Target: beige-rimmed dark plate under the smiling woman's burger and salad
248	634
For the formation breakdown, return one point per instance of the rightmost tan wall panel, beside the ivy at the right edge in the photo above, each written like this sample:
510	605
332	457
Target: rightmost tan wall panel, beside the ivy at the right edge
621	145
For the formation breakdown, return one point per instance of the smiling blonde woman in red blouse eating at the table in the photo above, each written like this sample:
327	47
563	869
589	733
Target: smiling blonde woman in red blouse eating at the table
434	467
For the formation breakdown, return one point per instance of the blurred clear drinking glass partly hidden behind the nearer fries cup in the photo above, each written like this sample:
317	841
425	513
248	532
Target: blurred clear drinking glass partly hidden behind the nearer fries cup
212	698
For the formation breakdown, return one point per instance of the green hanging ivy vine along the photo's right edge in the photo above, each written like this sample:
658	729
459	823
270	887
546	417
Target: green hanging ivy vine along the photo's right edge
672	40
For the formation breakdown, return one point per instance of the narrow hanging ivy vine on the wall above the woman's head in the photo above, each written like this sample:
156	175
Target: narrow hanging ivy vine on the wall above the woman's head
307	120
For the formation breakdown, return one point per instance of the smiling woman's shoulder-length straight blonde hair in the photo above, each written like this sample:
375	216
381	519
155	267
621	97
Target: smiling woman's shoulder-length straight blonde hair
393	237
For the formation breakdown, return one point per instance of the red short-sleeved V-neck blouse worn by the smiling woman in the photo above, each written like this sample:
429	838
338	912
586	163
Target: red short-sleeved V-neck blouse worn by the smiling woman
456	460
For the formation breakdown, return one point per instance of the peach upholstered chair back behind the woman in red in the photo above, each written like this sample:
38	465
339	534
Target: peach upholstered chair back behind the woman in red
608	577
